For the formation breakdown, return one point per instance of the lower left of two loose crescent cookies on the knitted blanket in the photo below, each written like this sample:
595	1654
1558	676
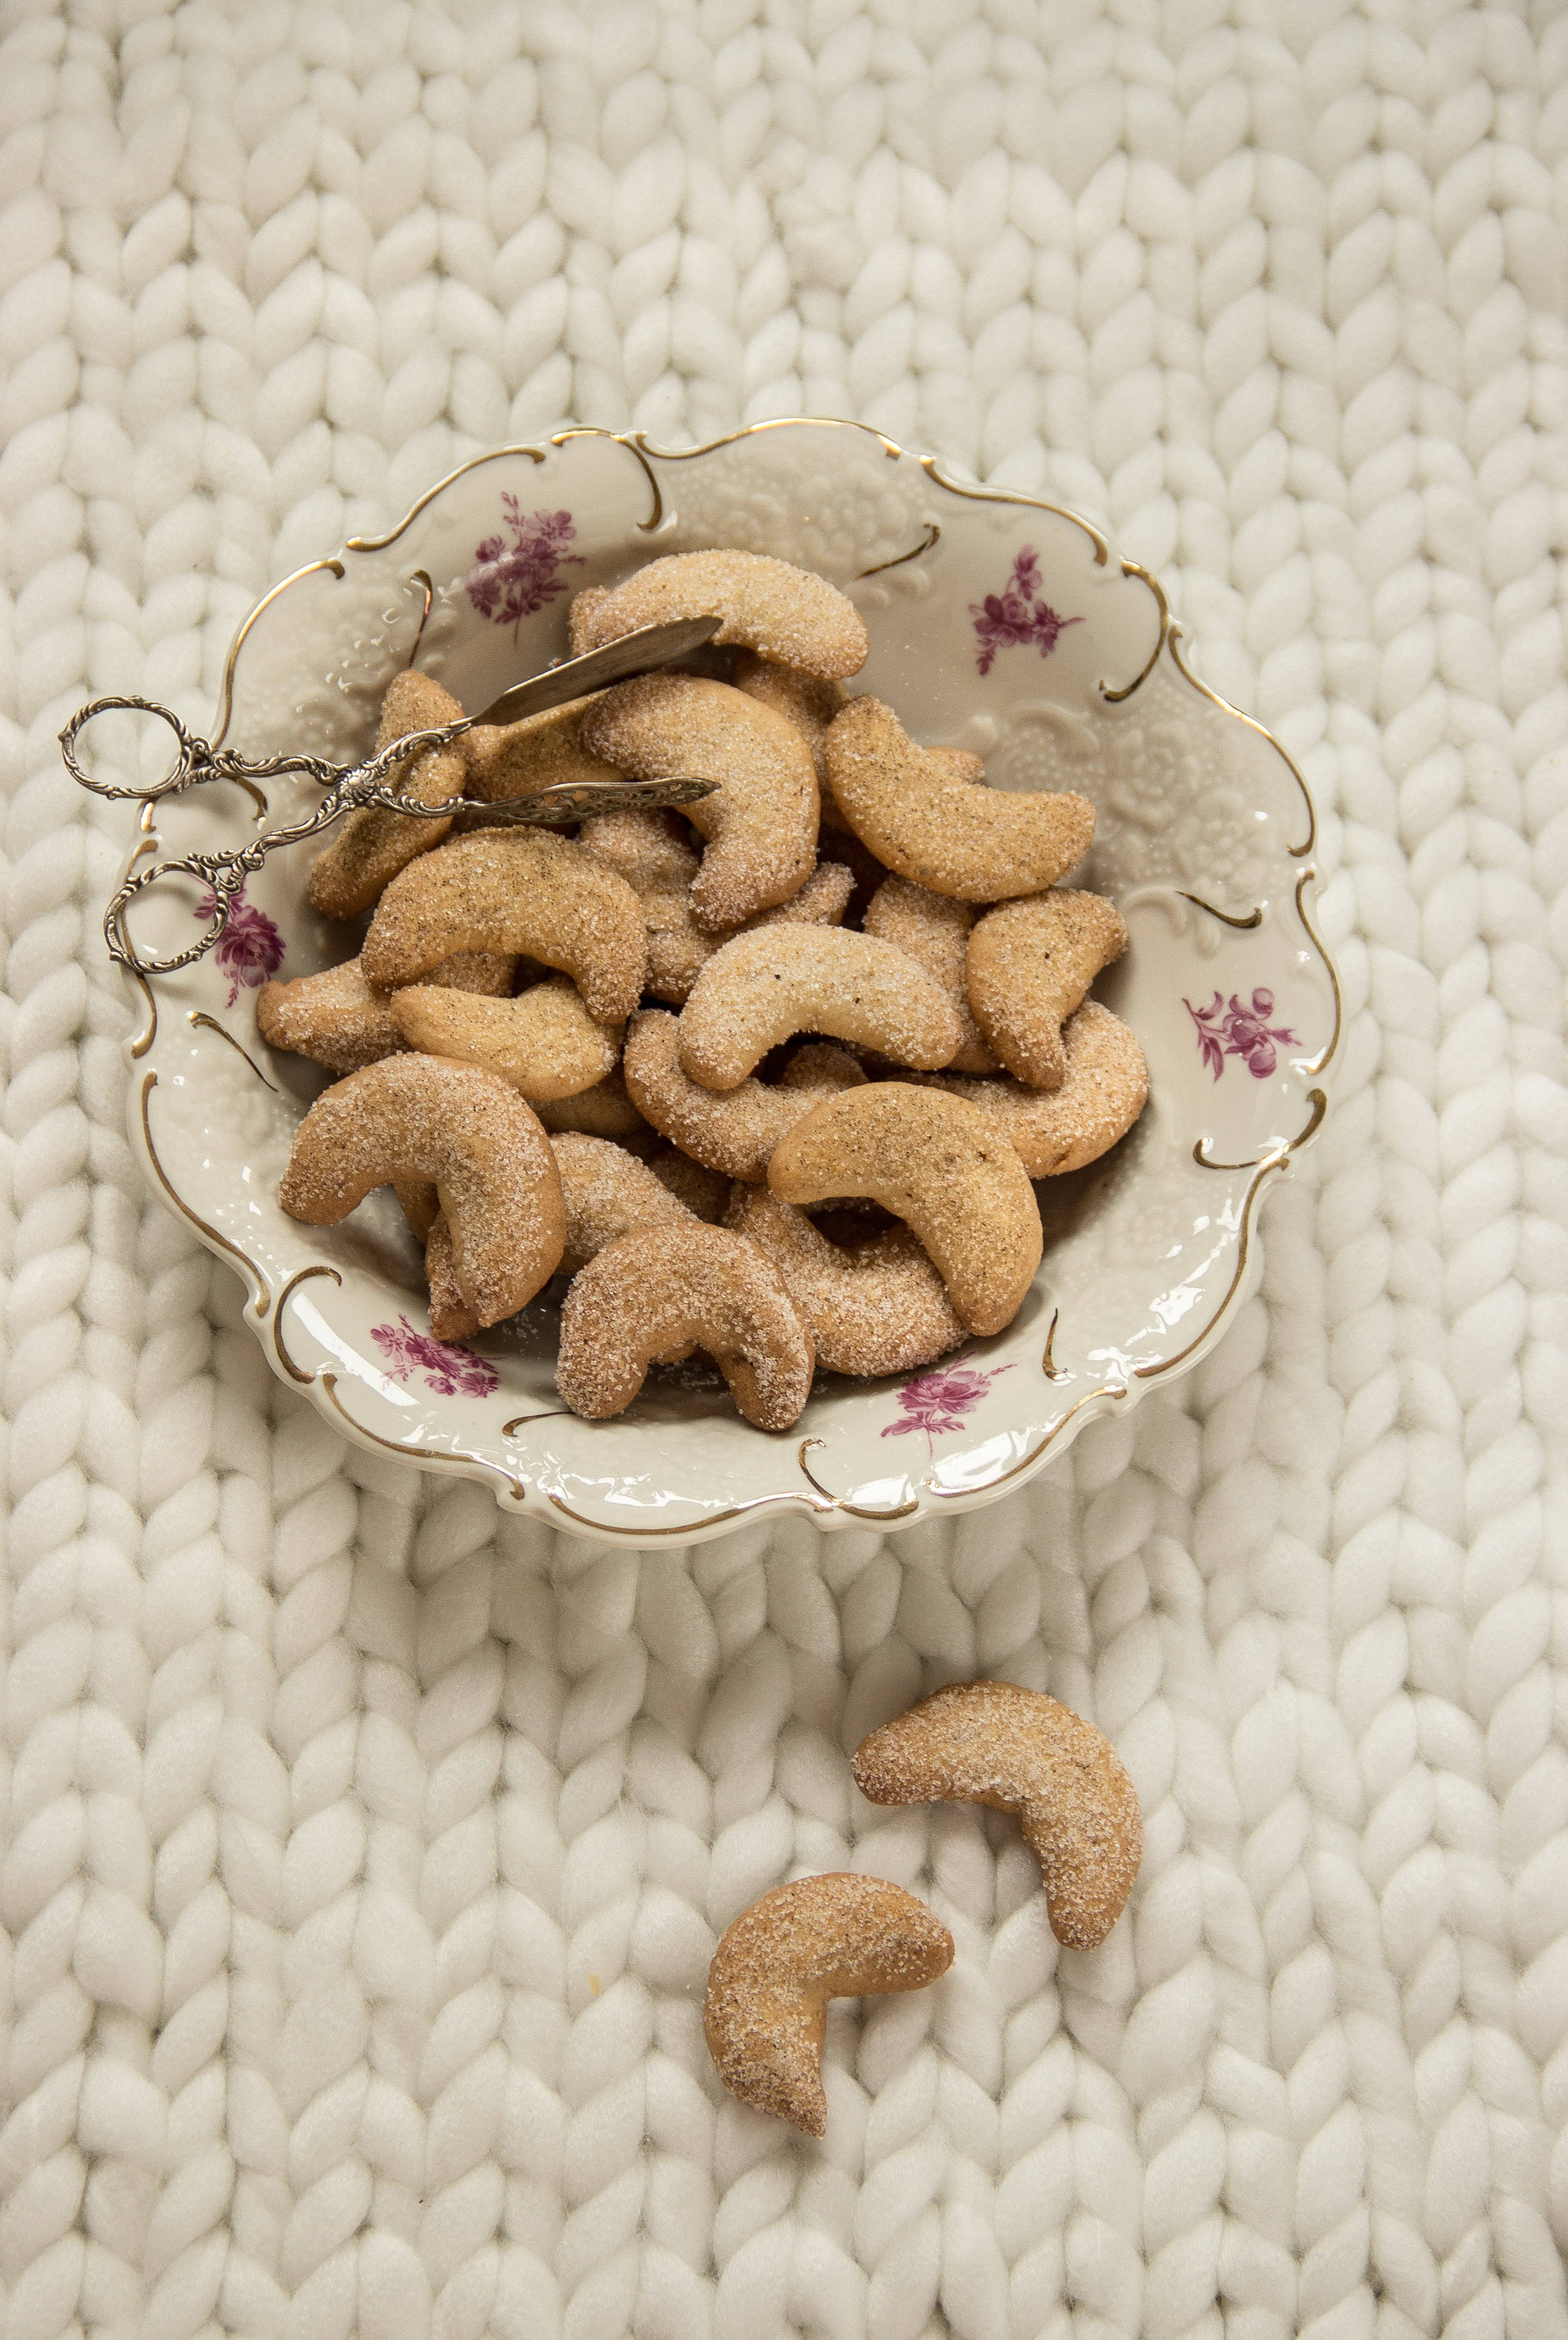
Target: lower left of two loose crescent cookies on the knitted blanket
783	1960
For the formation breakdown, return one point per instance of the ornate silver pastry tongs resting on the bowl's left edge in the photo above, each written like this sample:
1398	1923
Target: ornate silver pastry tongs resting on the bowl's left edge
355	787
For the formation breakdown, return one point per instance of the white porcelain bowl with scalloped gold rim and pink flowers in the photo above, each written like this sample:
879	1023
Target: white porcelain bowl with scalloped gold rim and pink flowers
996	624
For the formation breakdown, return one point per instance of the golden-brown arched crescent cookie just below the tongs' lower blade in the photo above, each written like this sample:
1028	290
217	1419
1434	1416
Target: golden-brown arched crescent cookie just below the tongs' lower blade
514	893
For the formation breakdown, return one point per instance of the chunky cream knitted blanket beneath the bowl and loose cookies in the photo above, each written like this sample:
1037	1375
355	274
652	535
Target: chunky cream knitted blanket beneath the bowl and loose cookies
366	1850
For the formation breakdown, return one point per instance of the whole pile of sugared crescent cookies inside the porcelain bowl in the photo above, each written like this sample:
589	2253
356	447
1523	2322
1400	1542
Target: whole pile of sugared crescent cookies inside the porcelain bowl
769	1080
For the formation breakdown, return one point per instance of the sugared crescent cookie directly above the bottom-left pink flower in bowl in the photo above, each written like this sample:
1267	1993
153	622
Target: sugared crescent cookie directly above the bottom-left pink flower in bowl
425	1120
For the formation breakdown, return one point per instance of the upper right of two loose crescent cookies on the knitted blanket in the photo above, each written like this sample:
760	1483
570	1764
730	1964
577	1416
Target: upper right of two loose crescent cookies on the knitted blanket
1022	1751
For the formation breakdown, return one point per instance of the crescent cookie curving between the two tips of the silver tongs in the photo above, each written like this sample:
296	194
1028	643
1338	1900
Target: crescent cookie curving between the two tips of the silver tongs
762	823
